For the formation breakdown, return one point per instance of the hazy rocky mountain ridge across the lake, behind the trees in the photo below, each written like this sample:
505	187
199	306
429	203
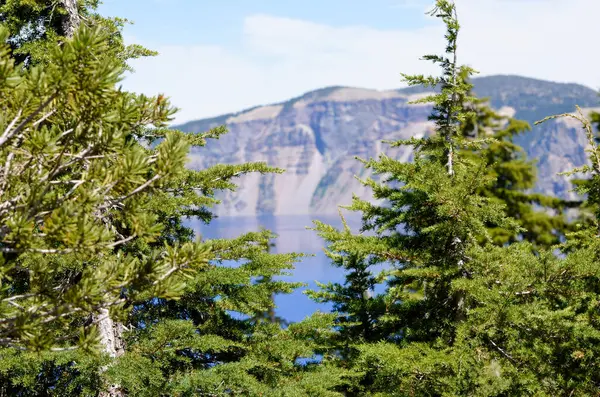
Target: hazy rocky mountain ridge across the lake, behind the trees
316	136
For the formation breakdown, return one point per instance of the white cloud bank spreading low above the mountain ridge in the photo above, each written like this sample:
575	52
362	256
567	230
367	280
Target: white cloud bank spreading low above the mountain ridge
281	58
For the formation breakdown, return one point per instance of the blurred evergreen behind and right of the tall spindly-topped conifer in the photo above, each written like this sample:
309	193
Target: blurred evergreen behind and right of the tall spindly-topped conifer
541	217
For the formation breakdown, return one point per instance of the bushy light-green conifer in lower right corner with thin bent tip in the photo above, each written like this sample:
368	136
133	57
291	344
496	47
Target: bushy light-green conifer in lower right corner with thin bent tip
533	318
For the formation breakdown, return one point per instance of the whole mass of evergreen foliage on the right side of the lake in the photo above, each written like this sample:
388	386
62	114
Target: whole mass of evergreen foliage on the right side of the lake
463	312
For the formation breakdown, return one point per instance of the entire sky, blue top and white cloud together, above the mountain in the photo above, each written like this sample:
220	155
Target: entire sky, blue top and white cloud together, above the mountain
222	56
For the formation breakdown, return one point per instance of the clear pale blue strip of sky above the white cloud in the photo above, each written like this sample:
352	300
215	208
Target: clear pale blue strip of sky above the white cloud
221	22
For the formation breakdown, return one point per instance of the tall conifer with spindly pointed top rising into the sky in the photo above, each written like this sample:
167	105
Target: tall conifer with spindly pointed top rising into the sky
434	213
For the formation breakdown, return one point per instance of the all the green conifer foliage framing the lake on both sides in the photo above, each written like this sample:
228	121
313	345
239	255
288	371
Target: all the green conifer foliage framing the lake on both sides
94	194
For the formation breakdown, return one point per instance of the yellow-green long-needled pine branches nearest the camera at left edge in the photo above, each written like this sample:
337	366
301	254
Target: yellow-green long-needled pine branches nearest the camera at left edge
74	191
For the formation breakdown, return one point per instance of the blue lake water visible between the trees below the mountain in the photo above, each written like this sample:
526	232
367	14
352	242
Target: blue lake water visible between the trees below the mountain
292	237
